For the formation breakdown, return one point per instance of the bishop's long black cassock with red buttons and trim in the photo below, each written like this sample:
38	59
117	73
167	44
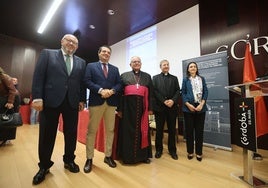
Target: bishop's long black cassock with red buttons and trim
129	131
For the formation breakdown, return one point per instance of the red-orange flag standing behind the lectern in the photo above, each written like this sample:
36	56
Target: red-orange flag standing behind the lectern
250	75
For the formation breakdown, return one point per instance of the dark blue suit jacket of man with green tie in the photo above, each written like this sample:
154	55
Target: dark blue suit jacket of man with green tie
51	80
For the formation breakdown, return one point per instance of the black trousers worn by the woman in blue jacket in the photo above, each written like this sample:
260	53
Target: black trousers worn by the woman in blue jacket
194	129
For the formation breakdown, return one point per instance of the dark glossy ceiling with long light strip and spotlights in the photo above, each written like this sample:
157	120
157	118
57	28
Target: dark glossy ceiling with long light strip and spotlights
21	19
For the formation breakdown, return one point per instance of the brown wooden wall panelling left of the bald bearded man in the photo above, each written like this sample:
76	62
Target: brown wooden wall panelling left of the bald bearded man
18	58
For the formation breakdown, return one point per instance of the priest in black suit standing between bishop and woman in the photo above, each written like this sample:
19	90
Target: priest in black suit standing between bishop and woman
167	93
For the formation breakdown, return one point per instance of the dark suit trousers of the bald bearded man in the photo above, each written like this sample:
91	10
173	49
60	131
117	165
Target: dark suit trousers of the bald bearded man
48	127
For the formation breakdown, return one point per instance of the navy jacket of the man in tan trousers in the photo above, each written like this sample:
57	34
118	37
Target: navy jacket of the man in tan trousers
95	79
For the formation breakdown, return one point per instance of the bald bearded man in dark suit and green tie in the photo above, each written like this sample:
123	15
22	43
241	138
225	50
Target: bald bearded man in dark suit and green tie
55	91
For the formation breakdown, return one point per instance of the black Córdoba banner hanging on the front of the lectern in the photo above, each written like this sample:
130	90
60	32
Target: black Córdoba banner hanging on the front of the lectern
244	128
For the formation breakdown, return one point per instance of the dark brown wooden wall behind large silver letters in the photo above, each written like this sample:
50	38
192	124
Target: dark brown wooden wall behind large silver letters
225	22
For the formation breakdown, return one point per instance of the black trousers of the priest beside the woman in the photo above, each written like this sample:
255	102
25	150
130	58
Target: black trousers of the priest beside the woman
169	116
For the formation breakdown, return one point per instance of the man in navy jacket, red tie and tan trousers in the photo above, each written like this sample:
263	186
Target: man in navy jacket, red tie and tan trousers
103	81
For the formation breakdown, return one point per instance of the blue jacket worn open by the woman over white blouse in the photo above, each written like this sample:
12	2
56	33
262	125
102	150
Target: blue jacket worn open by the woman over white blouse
188	96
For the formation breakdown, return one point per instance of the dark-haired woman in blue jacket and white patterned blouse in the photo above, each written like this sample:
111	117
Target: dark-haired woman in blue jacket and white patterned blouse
194	96
